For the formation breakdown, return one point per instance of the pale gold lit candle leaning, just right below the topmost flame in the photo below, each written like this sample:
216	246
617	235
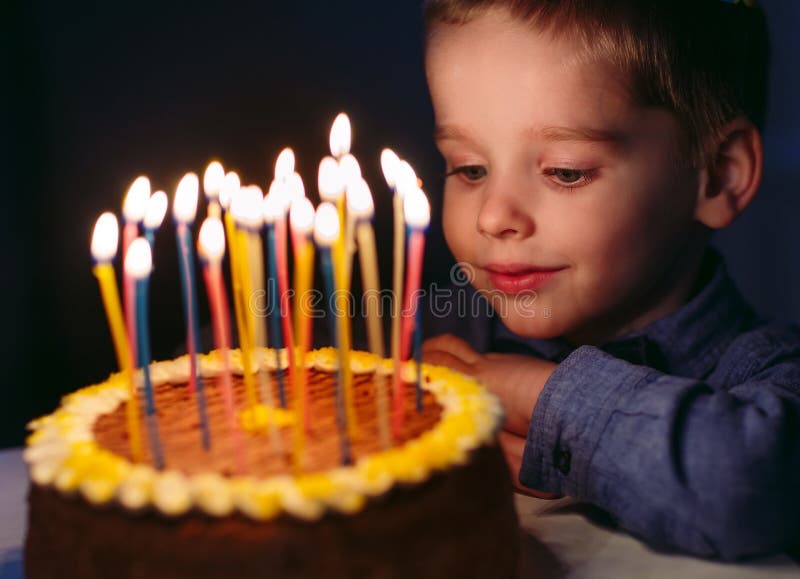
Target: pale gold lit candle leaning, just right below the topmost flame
362	208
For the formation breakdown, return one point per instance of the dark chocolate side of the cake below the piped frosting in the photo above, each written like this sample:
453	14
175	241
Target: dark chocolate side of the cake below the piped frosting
458	523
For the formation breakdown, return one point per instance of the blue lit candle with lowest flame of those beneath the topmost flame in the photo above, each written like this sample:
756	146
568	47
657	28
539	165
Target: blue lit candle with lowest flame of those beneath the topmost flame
326	232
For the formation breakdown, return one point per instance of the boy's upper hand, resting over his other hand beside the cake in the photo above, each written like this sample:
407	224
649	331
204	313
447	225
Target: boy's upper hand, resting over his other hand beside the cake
516	379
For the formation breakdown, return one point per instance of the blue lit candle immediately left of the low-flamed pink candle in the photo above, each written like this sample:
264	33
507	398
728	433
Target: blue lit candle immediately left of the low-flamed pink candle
184	210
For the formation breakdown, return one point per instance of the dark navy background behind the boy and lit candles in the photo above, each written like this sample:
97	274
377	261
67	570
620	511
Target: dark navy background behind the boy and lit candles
97	93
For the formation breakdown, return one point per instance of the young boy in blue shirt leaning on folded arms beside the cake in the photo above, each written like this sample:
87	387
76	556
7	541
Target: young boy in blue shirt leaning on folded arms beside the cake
592	147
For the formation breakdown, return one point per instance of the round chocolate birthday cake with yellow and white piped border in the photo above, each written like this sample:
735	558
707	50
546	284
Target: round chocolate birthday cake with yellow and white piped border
436	503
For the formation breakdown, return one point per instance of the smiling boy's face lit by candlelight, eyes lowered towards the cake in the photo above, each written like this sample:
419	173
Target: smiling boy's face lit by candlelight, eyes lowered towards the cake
558	186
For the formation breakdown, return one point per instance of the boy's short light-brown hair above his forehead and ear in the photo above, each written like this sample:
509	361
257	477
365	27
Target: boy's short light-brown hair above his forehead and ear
704	60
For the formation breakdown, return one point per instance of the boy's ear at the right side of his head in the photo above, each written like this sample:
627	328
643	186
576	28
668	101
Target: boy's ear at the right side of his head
732	179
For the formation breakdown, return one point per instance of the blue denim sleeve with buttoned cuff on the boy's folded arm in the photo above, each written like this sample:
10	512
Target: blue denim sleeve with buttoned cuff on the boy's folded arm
708	467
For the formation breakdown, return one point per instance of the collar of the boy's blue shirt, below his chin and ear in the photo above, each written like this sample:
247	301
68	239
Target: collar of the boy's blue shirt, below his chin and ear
687	342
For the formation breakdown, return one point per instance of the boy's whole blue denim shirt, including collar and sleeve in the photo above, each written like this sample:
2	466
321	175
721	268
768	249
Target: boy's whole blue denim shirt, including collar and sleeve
687	432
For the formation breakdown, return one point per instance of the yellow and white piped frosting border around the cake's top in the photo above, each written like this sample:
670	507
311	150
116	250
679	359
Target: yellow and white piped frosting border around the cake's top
64	453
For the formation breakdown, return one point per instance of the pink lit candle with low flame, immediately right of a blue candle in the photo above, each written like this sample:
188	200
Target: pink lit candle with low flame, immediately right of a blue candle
211	247
